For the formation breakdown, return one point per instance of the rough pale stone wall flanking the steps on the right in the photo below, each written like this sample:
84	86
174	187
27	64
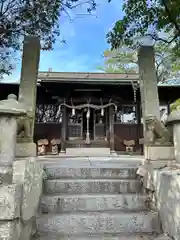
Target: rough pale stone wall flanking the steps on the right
162	181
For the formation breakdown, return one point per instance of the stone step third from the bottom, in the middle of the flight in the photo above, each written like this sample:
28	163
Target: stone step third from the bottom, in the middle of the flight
93	202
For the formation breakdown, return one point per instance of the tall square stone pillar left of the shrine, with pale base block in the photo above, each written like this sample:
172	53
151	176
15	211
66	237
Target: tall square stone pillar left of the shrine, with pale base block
27	94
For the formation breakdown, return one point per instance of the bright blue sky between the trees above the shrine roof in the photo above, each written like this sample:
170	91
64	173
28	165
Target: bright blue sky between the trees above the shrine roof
85	40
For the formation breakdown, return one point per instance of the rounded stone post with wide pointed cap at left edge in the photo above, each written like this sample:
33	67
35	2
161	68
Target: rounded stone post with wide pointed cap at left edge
10	109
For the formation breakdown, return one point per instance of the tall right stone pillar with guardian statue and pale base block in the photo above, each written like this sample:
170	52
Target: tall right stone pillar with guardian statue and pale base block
157	144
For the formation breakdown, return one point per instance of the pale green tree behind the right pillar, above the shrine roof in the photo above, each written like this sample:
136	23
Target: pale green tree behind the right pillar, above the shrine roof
124	60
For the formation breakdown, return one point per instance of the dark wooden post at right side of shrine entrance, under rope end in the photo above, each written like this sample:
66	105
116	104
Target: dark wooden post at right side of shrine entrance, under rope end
111	129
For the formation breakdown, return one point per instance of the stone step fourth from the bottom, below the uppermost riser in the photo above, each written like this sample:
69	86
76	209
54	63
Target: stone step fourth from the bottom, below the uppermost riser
78	186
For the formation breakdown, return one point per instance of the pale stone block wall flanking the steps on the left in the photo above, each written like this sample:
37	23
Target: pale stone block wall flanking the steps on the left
19	201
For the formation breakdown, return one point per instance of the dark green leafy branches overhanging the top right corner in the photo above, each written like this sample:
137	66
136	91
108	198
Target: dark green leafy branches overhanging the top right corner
158	18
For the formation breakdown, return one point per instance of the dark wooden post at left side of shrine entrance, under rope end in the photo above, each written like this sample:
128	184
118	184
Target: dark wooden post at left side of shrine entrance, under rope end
63	129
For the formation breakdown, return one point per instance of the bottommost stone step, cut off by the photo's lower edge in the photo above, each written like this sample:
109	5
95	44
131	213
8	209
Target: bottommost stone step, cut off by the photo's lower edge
101	237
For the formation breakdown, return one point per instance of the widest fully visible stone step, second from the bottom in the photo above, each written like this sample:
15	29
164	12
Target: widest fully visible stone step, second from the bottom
96	222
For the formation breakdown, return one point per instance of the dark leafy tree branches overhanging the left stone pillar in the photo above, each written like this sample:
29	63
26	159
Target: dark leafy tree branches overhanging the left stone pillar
31	17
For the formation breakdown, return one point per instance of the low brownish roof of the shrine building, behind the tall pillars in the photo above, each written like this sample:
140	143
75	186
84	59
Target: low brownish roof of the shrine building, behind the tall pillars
94	78
